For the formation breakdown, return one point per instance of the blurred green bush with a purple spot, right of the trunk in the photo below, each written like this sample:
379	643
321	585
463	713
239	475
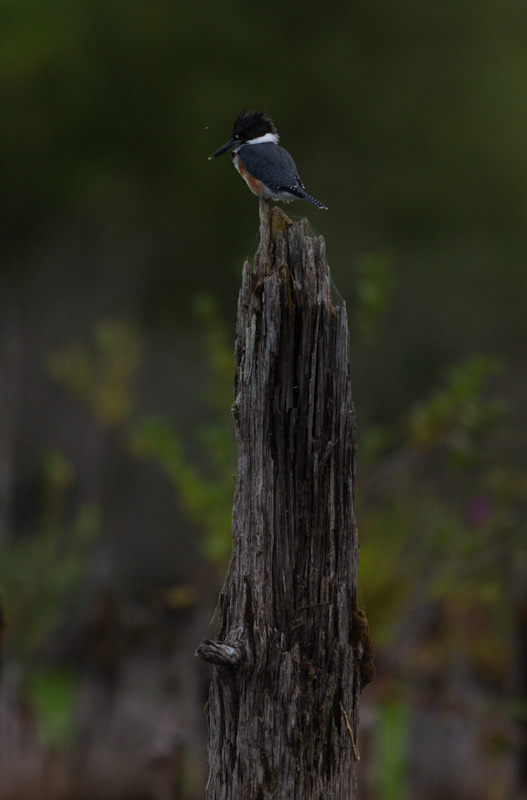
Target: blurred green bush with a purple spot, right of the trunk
431	511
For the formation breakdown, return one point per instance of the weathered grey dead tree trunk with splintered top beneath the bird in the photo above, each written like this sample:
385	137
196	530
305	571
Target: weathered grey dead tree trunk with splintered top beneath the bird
284	696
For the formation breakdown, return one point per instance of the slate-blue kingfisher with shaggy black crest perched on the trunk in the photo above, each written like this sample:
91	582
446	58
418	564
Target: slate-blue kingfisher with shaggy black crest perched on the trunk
268	170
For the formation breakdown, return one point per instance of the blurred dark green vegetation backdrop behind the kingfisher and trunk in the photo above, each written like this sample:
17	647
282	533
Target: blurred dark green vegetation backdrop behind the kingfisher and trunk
122	249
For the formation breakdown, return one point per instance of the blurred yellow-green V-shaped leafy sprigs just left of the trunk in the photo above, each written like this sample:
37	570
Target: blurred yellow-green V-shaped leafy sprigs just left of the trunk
101	373
